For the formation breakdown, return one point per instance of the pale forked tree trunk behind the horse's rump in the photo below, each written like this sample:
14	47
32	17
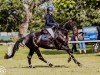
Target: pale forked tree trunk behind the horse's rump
28	5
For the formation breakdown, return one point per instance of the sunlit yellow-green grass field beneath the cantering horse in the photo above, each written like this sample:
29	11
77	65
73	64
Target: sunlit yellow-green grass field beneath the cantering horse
19	66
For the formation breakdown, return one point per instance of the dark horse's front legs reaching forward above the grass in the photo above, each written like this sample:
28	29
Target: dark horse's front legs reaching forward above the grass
66	48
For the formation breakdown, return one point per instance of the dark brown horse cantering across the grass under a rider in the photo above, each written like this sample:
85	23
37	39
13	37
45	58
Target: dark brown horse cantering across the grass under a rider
43	39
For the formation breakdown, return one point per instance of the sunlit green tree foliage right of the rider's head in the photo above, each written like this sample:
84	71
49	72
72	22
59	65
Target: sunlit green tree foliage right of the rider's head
86	12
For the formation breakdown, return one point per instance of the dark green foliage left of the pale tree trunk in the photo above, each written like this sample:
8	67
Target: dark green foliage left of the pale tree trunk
11	15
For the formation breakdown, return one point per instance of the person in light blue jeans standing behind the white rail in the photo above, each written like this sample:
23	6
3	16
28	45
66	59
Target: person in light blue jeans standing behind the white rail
82	46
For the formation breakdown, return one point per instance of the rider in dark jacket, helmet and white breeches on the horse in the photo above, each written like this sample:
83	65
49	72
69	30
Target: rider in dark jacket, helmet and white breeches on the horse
49	21
